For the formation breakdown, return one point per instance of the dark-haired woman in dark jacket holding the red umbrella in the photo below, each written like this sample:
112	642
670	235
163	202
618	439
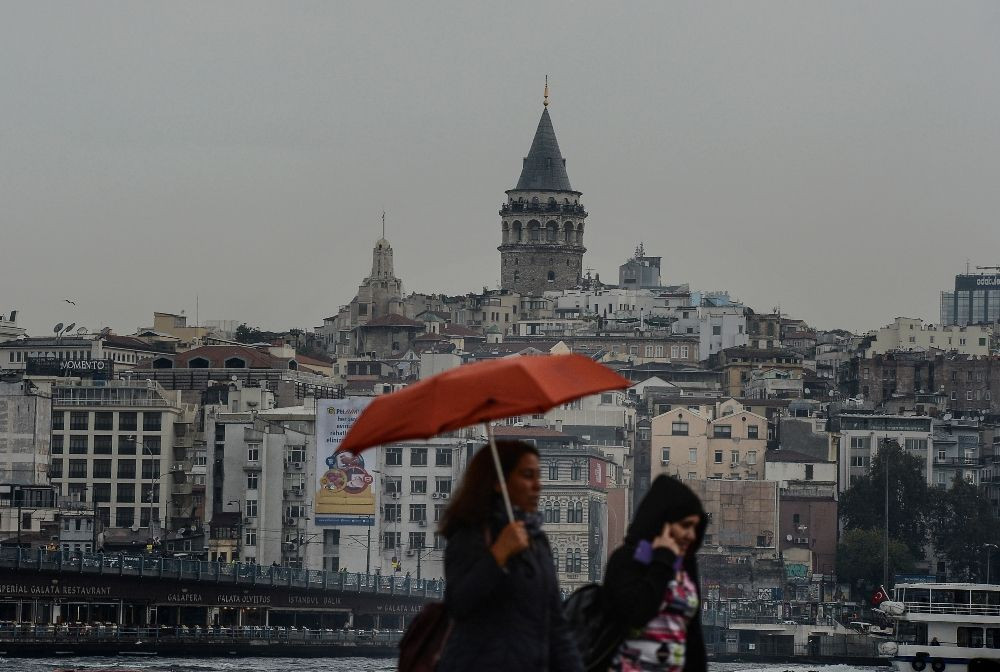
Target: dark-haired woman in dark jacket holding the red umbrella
501	588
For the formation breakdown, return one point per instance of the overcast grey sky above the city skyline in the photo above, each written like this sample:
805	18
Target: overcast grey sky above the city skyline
841	159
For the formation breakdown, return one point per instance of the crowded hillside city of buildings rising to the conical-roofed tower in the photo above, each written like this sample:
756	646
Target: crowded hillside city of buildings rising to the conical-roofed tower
209	439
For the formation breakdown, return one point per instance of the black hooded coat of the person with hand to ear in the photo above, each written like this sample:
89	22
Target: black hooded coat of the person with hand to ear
633	591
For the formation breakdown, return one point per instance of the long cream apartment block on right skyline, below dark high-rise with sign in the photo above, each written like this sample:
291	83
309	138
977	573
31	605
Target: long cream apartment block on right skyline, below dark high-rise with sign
912	334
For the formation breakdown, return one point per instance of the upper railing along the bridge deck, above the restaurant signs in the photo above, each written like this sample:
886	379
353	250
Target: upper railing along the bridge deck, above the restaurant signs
124	564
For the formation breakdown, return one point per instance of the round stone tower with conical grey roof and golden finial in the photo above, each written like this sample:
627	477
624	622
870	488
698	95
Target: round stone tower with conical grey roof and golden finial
542	221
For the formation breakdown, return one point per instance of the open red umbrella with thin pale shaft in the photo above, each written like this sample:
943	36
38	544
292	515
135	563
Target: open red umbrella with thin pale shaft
478	393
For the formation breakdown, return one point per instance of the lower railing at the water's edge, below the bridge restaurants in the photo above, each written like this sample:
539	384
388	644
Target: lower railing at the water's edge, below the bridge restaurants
99	632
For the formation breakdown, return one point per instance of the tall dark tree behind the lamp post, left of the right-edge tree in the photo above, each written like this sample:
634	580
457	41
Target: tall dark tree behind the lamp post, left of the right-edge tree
862	505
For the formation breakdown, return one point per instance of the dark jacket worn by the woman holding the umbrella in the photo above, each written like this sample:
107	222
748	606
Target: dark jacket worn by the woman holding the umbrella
504	619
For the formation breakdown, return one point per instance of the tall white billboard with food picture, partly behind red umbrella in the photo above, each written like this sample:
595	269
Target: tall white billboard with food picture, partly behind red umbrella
344	483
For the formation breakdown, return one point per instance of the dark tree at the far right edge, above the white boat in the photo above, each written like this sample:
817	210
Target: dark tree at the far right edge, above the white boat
961	524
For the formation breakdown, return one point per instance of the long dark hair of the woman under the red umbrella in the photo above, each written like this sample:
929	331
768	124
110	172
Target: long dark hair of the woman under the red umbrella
473	502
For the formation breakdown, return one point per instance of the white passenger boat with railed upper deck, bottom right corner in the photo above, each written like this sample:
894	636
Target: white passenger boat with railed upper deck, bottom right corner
940	627
